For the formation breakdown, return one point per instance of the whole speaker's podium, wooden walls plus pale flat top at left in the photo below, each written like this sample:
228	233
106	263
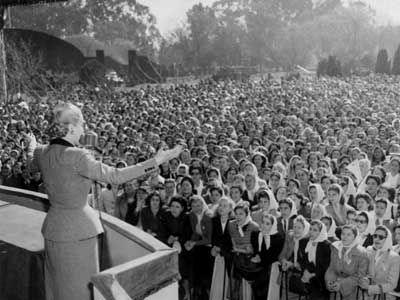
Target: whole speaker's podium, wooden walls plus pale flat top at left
134	265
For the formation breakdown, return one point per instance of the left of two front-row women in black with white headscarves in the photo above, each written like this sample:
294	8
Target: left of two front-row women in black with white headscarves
267	245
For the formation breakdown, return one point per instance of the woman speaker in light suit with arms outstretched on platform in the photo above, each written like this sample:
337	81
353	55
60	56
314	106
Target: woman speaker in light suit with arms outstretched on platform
71	227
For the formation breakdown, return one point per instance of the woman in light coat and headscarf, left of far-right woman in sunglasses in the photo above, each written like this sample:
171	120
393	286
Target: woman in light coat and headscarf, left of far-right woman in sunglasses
349	263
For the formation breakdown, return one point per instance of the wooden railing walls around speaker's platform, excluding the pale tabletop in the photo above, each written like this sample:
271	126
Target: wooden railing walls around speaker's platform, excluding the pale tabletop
134	264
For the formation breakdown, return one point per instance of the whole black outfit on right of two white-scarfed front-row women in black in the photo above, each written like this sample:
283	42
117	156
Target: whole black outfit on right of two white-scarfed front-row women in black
323	254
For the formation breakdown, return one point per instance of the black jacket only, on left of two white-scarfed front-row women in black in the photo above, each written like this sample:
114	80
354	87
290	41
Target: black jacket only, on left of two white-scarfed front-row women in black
268	257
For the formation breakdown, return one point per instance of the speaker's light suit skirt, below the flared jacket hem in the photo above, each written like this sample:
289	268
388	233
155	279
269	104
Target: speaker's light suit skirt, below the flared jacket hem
69	267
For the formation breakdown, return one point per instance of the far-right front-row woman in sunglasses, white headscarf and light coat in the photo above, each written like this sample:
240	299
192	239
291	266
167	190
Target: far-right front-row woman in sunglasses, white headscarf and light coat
384	266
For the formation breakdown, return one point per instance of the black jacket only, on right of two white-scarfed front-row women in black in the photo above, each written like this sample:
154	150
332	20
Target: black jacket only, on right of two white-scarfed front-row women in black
323	257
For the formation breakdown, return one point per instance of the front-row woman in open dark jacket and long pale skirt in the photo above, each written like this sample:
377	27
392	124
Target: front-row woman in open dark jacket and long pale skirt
222	250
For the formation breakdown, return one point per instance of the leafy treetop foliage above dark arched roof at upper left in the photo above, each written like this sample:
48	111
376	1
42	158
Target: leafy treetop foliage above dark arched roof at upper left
106	21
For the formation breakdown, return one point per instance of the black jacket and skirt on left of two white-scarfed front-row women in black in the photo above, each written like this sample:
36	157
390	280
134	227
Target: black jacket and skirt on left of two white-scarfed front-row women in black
268	257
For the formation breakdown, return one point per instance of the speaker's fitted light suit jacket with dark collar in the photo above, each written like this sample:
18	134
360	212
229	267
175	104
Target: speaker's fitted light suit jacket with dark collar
67	173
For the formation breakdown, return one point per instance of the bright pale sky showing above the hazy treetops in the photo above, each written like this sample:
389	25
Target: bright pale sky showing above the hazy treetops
171	13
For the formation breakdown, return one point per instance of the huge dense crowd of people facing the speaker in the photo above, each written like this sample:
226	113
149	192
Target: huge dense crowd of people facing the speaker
304	173
